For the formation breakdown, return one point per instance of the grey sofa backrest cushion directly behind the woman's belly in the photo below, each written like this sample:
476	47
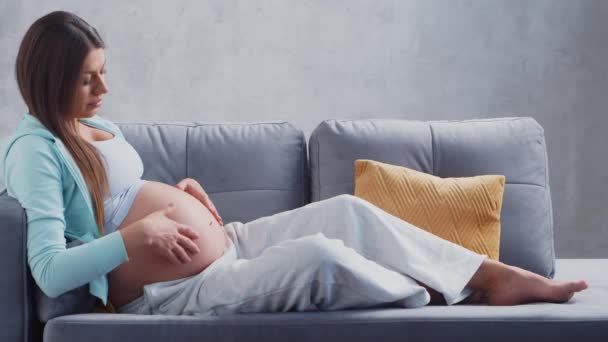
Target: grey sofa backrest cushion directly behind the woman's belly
249	169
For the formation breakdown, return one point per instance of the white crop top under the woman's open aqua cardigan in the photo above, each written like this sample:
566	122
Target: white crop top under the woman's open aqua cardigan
124	169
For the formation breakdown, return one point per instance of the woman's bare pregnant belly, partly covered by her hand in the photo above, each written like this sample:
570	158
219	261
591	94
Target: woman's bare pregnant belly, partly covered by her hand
126	281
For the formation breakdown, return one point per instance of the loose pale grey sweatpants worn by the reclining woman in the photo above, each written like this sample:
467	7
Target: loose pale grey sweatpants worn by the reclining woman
339	253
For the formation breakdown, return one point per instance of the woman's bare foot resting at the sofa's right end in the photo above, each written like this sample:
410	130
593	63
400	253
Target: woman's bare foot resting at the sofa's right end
513	285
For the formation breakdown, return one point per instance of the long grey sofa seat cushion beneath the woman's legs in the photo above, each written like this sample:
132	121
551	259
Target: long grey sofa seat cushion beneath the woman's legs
583	318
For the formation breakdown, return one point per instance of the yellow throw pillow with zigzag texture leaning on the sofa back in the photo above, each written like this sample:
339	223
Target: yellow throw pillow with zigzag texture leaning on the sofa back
463	210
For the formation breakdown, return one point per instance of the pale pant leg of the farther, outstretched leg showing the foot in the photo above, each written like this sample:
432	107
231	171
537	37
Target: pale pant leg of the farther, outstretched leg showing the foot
372	232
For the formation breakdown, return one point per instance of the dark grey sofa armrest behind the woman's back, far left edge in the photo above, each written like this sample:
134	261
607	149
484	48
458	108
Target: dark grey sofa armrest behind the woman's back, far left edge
17	320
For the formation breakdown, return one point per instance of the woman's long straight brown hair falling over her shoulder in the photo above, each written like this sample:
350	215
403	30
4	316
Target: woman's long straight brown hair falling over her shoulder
47	69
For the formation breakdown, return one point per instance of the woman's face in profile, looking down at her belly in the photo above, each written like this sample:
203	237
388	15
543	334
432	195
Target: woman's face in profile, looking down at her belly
91	86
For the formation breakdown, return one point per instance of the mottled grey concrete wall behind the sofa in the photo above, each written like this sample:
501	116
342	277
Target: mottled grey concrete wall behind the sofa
306	60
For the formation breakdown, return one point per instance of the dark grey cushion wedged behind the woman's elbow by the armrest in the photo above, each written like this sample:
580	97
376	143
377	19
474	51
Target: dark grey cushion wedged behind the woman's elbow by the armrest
78	300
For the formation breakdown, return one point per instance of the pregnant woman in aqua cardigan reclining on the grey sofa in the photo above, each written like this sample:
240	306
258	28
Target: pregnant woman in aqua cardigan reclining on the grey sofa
155	248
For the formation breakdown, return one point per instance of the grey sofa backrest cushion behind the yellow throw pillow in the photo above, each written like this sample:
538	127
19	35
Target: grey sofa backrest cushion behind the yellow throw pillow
514	147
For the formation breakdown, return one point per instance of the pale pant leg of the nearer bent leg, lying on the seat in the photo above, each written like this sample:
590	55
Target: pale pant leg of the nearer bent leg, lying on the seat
305	274
